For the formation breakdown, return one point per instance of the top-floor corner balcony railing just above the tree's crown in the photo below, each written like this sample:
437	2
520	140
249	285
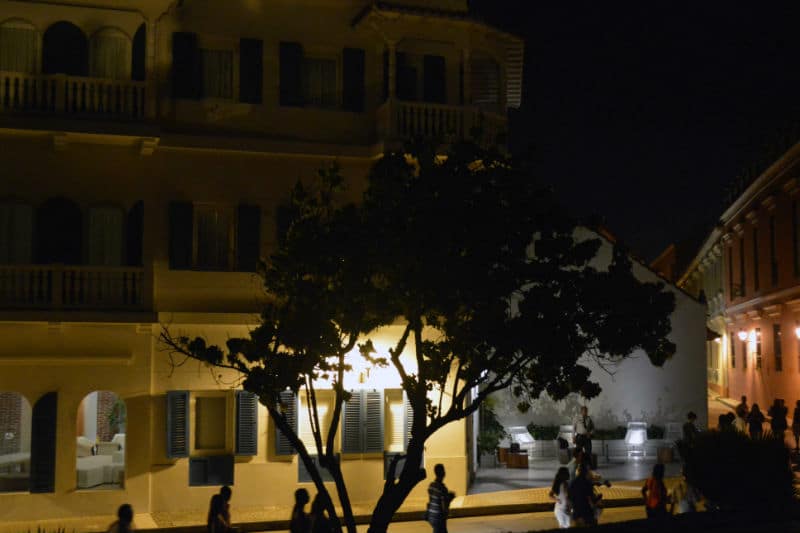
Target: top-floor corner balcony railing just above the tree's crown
399	120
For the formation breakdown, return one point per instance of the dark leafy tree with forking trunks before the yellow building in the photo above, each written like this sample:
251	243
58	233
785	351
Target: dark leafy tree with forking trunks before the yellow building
487	276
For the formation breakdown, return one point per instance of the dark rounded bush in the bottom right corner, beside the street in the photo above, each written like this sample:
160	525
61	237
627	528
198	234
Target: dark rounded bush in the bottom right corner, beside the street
734	471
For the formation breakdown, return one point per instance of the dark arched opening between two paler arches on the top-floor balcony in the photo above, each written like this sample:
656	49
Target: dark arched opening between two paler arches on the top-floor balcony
65	50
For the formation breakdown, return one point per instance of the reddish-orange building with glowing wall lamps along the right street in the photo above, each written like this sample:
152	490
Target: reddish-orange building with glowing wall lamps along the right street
748	273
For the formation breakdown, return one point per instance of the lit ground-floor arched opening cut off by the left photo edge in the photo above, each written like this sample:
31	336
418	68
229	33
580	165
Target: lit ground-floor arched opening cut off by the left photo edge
15	442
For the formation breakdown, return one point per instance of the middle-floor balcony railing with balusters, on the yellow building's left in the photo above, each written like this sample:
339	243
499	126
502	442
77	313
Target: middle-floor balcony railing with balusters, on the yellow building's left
71	287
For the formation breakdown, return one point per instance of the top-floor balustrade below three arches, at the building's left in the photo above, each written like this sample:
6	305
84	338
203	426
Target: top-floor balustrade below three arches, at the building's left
71	95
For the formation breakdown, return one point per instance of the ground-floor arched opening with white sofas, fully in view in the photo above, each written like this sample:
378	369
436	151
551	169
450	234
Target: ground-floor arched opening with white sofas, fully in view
100	441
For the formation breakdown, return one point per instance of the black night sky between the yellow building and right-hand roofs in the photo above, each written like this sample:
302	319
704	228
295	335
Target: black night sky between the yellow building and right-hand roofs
642	113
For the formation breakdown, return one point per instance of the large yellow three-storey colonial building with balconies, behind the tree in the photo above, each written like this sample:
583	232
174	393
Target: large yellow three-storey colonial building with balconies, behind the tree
145	146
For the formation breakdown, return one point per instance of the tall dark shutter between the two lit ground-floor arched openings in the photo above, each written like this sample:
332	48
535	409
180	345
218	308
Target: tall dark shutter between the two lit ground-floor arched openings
43	444
